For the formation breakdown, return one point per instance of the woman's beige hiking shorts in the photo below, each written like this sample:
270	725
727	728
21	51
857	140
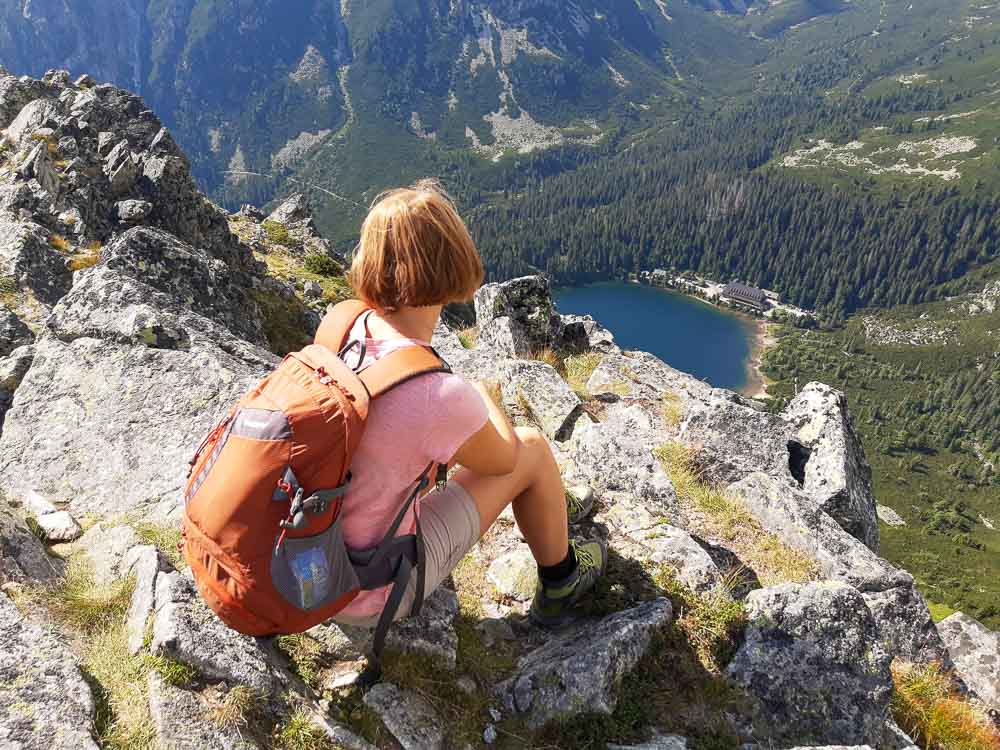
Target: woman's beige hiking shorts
449	521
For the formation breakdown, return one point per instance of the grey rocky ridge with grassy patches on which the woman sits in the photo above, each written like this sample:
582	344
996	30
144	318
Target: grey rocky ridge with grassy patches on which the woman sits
112	369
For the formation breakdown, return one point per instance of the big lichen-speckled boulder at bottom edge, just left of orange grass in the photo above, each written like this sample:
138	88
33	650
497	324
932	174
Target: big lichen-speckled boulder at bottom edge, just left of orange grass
813	665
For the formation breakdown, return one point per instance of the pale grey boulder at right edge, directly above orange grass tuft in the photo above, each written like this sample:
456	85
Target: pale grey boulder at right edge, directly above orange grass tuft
975	652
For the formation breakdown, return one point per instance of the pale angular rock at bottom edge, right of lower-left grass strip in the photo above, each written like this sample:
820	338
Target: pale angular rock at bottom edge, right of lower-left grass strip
182	720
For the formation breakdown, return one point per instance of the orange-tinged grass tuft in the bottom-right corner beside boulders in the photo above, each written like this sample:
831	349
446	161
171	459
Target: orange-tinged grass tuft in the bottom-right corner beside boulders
927	708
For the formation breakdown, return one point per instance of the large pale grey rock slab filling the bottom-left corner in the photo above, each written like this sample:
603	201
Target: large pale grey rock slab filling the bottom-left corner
45	703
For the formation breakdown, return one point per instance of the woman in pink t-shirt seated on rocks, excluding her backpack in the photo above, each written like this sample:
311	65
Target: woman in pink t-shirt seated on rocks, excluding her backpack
414	257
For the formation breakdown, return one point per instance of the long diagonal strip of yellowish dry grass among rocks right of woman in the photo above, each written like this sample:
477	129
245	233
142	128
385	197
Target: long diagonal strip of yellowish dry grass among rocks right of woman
728	519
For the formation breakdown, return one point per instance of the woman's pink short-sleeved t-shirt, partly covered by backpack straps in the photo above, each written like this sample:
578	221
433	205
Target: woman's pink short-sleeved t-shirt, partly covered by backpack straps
425	419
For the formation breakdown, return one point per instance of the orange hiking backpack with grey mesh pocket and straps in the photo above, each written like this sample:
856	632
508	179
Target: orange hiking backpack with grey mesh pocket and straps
262	529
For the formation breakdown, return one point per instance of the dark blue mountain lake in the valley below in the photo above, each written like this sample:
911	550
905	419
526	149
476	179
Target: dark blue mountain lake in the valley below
686	333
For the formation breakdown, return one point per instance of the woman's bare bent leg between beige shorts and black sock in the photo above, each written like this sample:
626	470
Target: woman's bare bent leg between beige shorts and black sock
535	489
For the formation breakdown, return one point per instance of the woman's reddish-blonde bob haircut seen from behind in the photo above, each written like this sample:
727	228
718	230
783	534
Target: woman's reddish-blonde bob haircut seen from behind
415	251
